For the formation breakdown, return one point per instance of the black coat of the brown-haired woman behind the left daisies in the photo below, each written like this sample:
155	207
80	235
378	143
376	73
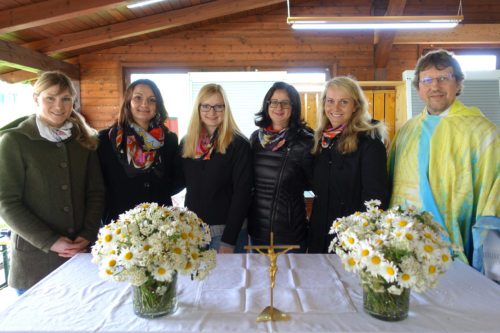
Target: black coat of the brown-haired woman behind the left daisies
124	191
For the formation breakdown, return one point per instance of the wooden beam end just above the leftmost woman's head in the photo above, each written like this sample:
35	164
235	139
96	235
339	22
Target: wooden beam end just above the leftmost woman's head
13	55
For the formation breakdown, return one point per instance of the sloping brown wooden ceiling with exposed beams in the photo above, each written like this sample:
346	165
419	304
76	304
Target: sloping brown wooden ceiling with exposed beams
37	35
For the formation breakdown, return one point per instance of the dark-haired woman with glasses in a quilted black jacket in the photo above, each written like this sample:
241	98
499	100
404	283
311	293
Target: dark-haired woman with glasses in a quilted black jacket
282	163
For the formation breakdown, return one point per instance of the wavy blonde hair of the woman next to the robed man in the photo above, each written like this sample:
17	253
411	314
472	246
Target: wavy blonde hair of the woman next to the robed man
360	121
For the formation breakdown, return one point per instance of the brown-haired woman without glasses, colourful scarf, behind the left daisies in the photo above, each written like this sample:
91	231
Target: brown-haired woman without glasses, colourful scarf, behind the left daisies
138	154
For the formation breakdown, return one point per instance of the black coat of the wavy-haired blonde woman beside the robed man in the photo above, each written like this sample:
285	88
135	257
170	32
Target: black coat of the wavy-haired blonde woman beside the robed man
342	183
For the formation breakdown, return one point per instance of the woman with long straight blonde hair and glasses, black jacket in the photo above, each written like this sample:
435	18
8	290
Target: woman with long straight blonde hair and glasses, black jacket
217	168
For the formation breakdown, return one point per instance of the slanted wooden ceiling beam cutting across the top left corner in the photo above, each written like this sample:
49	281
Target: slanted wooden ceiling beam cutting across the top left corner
51	11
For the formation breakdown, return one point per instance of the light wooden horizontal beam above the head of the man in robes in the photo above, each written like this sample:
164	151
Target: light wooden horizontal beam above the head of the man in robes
462	34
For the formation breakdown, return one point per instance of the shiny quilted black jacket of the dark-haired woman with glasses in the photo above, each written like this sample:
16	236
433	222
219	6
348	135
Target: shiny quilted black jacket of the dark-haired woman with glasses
280	179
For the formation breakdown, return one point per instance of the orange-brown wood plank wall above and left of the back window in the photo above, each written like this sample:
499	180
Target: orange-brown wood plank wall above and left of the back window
252	43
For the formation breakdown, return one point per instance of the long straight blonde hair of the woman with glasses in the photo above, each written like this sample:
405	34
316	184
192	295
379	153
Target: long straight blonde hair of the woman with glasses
226	130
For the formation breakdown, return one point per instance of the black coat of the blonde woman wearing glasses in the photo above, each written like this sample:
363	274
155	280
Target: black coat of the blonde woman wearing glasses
218	190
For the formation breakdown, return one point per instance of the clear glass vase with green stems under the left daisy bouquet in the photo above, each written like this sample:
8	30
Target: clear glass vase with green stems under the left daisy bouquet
155	298
